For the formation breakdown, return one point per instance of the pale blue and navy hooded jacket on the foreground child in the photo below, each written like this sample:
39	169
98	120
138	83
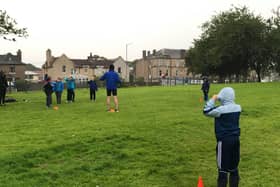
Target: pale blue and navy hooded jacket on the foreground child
226	115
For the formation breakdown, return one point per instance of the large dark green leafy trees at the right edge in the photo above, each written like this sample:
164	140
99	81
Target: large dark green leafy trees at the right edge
236	42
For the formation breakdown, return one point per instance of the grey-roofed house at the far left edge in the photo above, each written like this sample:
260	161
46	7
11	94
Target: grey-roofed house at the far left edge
13	66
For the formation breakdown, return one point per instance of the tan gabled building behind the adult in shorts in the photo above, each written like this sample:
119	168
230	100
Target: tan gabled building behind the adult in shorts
83	69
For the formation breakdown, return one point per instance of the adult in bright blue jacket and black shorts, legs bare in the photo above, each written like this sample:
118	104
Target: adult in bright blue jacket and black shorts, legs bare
112	79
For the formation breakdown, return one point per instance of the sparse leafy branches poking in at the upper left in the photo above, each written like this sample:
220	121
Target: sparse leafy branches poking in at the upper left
8	27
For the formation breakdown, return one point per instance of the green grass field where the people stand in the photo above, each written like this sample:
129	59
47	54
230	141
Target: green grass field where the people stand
159	138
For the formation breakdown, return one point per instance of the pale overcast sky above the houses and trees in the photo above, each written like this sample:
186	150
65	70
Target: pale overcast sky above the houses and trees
109	27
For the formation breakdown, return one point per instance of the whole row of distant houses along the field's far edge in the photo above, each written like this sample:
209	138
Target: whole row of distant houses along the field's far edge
164	63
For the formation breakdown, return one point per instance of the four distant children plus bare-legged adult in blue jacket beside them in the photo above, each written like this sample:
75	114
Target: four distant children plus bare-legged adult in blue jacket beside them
112	80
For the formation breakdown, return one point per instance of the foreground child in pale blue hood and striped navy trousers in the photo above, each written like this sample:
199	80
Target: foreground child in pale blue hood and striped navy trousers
227	134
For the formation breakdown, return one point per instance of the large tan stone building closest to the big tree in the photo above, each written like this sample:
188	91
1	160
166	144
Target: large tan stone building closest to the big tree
165	63
